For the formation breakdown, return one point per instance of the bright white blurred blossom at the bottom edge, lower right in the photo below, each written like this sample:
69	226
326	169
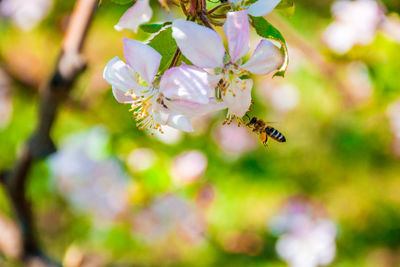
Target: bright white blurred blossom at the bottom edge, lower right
307	238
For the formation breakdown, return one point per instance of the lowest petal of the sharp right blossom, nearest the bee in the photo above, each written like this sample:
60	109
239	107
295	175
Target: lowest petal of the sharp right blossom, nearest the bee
239	100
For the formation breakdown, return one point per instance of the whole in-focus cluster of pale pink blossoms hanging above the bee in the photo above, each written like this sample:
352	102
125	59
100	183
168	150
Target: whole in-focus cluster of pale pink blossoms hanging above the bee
213	78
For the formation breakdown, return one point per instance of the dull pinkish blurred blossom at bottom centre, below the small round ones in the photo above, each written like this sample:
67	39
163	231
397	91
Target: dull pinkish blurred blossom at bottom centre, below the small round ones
170	215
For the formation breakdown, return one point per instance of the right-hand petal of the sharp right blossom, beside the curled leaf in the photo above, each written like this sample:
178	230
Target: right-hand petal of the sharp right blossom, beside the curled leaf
266	58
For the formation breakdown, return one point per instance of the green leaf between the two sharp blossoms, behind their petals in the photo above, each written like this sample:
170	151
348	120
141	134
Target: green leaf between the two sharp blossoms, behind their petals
163	42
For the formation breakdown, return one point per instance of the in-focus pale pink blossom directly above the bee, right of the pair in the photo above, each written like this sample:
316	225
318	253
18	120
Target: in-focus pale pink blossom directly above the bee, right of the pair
234	84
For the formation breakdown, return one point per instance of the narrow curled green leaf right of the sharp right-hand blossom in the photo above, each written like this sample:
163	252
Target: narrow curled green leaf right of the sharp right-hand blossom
266	30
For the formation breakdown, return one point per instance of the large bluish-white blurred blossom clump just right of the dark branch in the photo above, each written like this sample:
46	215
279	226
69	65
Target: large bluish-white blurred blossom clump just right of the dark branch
91	181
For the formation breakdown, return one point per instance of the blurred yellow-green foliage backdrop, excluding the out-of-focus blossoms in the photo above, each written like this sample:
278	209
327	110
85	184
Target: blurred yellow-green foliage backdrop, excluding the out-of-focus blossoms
337	154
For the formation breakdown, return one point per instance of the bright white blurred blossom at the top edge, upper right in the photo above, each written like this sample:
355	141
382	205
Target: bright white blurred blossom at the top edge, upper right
355	24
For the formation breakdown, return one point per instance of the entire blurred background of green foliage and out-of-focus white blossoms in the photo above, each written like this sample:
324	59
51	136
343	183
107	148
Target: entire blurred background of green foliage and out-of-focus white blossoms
112	196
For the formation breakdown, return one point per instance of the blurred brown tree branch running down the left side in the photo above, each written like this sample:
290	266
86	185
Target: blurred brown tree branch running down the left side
69	65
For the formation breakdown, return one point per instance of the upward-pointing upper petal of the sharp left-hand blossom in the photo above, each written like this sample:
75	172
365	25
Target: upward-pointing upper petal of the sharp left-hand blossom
142	58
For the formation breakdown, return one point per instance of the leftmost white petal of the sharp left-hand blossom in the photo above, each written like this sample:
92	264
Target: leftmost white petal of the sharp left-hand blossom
122	79
